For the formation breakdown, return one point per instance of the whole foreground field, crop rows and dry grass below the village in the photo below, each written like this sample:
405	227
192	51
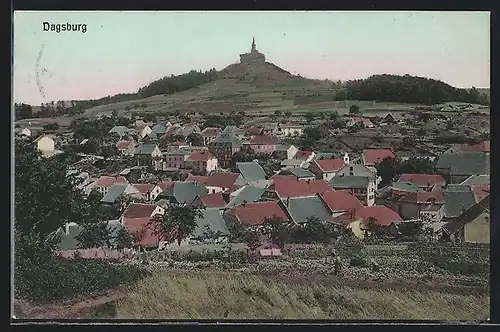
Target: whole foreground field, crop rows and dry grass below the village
412	282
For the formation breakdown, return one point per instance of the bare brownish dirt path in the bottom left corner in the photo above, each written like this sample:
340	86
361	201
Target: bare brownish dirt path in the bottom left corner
76	308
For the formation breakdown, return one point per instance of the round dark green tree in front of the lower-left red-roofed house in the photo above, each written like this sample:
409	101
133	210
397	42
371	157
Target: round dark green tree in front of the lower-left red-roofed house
177	223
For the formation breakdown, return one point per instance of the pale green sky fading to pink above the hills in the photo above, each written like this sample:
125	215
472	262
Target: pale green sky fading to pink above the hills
123	51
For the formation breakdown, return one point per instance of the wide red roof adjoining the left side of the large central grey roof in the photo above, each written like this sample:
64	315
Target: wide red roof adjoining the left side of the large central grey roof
257	213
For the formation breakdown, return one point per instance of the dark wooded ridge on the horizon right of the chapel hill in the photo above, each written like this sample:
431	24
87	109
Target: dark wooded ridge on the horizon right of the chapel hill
408	89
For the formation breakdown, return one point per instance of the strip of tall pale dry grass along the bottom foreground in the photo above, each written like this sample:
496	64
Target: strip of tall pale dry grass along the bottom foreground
209	295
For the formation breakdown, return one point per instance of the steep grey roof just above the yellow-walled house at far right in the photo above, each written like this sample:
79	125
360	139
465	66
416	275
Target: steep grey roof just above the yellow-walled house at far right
457	200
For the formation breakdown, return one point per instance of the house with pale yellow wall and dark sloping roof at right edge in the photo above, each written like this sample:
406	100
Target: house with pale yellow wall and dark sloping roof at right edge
473	225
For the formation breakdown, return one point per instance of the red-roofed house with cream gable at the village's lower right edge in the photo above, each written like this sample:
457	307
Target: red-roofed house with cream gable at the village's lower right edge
358	219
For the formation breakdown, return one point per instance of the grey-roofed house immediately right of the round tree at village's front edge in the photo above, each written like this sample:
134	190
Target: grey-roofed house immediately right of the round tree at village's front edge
210	224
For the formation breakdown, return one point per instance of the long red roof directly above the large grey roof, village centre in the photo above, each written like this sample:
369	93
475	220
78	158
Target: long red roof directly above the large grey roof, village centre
294	188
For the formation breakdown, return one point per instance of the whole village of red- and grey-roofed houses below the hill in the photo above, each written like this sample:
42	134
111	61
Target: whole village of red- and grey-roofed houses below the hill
253	173
